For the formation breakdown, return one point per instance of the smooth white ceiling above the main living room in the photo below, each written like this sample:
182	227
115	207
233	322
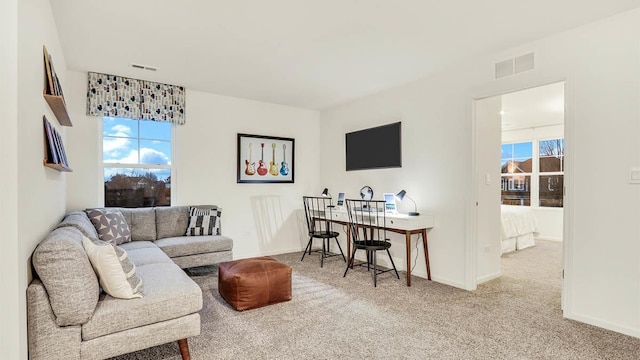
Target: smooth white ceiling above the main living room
305	53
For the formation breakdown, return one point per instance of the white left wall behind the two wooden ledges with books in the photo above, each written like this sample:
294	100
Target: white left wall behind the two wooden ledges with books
40	191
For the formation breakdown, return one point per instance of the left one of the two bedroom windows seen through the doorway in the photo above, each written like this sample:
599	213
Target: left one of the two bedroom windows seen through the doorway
517	161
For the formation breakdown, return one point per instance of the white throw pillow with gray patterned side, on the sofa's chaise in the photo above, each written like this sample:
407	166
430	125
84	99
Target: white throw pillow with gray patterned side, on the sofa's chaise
116	273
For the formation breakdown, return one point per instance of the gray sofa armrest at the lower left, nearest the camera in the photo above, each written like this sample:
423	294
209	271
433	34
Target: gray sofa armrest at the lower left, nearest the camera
47	340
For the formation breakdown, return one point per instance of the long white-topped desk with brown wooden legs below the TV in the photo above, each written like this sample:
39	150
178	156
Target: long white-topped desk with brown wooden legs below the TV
400	224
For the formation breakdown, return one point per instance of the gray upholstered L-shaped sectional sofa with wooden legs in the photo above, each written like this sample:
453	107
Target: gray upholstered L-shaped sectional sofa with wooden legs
70	318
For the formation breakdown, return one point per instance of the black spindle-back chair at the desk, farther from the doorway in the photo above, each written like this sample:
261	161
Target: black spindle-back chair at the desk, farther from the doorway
318	213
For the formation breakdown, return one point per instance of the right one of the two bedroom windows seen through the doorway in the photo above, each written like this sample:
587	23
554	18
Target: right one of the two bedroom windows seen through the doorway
551	173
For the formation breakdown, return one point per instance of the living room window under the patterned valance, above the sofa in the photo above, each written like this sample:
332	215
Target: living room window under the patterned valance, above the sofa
136	156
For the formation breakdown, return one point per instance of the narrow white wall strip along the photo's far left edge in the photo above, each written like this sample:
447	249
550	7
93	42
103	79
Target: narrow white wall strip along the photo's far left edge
11	321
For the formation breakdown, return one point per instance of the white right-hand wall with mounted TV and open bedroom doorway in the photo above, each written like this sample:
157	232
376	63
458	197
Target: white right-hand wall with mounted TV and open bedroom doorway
600	63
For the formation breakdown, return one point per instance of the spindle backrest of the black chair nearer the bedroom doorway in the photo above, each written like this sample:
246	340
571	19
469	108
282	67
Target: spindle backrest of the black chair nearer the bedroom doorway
368	220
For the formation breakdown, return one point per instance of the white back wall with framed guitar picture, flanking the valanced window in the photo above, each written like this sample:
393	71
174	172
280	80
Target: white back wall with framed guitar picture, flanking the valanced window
261	218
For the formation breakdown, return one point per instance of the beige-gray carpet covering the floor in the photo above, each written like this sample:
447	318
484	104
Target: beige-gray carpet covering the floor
517	316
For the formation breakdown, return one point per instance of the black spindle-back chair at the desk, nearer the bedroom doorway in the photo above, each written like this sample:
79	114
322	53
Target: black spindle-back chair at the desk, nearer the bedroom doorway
368	232
